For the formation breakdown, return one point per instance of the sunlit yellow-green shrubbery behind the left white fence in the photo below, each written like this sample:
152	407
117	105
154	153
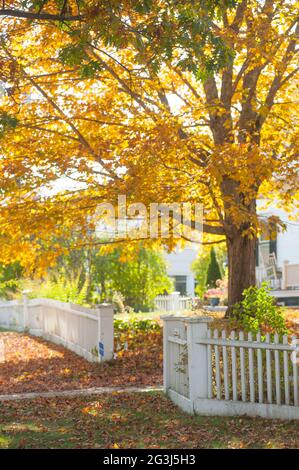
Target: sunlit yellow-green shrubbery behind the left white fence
89	276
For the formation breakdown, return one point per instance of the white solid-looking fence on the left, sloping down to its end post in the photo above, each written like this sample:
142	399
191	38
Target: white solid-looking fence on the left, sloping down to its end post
87	332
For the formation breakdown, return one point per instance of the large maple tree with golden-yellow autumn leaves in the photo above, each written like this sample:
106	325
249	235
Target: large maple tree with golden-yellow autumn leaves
161	101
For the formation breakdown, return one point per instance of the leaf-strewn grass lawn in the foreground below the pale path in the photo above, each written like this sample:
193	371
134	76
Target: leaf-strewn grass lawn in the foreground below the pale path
139	420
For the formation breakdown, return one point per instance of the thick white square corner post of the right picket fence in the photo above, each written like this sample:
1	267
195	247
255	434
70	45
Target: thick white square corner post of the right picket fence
197	328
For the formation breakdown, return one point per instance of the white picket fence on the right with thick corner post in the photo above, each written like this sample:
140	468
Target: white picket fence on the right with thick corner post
211	374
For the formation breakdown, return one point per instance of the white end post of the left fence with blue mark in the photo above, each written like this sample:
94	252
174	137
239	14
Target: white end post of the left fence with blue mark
105	314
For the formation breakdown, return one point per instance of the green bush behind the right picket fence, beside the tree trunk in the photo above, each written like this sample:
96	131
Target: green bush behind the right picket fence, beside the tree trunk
258	310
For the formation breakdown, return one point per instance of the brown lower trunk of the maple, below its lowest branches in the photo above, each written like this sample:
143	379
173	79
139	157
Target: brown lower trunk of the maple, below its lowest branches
241	266
